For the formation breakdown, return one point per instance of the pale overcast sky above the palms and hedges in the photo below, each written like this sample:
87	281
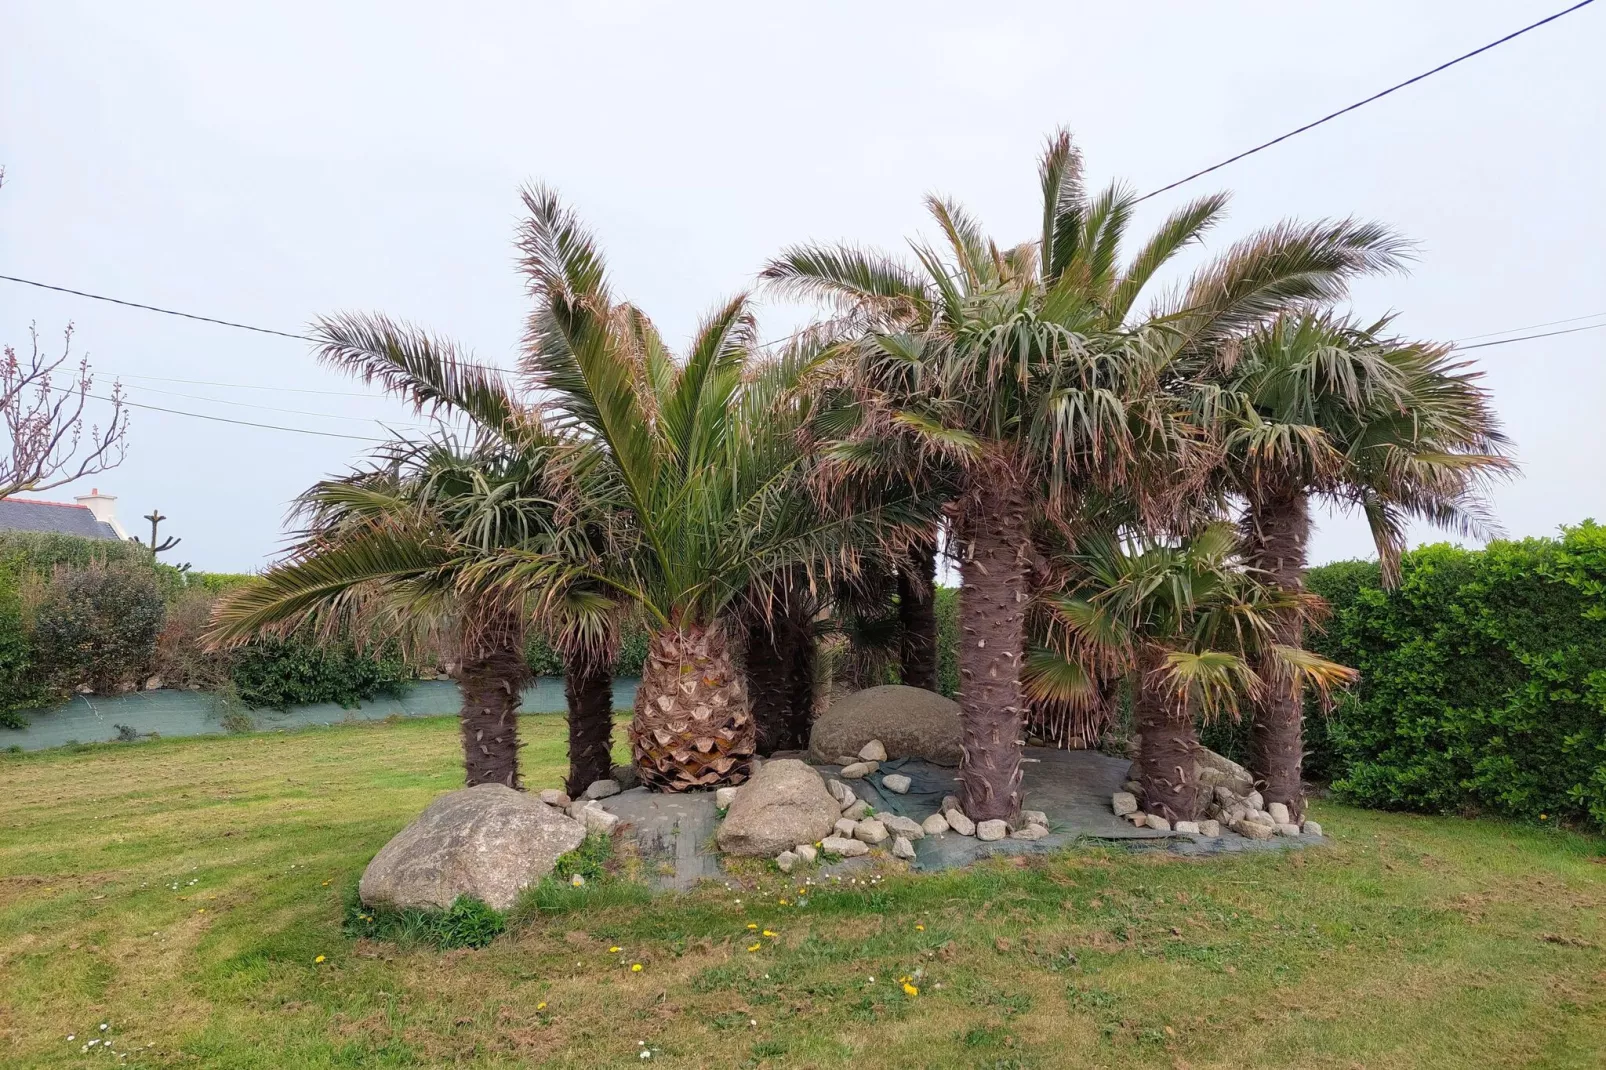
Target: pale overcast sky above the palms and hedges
271	163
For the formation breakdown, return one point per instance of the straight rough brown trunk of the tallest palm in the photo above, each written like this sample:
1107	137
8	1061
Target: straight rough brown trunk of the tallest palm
992	642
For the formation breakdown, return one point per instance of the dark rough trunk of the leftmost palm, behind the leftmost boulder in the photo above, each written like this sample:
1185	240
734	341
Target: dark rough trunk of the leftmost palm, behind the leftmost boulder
491	682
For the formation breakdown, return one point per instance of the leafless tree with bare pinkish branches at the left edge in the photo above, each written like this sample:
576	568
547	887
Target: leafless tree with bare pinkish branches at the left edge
44	414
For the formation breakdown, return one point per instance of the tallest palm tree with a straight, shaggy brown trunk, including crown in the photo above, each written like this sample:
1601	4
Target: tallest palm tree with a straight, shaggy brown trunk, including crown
1021	378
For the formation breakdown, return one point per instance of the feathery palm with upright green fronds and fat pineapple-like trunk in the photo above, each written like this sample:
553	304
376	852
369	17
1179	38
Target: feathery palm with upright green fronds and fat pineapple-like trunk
696	465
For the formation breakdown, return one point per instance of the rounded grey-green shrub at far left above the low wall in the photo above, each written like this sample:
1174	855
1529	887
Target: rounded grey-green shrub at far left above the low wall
99	626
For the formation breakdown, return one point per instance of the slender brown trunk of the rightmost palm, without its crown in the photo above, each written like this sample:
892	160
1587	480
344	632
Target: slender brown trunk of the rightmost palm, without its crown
1279	536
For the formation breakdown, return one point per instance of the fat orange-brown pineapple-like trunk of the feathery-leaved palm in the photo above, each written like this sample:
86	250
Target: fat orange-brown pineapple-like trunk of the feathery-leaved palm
693	722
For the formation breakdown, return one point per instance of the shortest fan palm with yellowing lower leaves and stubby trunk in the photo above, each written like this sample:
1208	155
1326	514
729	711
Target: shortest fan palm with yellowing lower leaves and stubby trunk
1192	627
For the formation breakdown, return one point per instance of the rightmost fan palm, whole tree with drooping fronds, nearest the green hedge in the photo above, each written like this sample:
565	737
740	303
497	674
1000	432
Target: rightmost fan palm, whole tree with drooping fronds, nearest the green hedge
1318	407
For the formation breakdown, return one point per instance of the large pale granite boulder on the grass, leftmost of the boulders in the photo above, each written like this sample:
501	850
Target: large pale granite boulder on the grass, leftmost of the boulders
487	841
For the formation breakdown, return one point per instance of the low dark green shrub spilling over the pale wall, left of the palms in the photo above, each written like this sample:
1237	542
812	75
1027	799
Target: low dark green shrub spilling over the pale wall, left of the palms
280	674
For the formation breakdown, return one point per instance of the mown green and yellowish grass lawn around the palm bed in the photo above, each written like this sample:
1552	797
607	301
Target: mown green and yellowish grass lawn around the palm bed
182	892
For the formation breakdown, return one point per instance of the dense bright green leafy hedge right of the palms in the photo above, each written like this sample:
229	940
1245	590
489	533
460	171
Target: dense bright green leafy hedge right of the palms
1483	680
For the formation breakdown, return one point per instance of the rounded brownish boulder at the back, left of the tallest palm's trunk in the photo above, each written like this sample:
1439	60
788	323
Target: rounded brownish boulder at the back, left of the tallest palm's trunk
910	722
